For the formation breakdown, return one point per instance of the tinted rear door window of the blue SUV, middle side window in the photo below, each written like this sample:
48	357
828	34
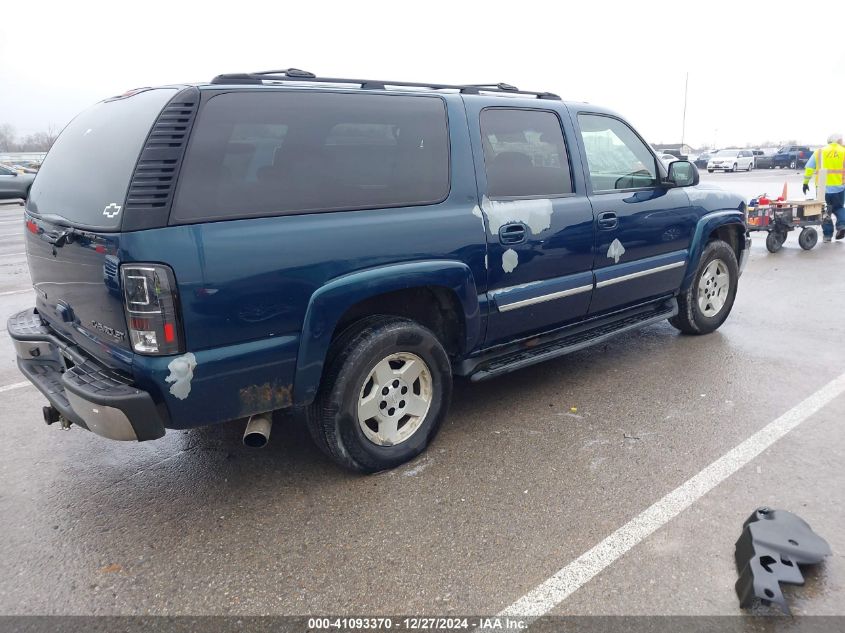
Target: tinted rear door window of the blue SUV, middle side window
524	154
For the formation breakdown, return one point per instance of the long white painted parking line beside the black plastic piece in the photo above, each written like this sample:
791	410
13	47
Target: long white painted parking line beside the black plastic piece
547	595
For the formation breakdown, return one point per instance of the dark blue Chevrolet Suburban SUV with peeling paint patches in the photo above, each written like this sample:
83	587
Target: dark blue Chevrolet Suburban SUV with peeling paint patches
214	252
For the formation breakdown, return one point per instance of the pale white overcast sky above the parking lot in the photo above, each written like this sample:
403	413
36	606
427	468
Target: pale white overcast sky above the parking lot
754	73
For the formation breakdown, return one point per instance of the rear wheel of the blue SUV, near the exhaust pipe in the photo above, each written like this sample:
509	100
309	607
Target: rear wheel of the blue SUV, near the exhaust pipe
385	391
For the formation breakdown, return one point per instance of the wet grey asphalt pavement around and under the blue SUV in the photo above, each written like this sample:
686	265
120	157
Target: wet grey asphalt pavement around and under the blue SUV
529	471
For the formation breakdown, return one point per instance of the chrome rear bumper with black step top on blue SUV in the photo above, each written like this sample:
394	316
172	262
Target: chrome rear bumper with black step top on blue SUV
82	390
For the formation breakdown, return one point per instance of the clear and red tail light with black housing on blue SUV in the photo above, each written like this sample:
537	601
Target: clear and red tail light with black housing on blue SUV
151	301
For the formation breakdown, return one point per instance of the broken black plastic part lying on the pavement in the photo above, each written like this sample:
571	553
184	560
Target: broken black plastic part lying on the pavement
772	545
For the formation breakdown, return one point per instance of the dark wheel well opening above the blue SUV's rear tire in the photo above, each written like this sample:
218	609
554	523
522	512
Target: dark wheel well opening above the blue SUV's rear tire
437	308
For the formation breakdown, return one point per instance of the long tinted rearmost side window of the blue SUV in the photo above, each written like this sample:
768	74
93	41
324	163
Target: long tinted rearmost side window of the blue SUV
271	153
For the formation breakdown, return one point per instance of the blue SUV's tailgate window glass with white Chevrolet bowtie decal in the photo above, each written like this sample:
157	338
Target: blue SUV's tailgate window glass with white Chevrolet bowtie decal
86	173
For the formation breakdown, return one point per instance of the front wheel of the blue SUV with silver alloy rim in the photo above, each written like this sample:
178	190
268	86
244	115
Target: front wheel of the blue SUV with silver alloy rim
705	305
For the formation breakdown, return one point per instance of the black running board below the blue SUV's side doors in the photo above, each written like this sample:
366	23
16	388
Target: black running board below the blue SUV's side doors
531	352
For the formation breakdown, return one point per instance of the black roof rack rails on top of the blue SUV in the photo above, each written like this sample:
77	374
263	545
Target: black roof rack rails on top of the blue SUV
297	75
